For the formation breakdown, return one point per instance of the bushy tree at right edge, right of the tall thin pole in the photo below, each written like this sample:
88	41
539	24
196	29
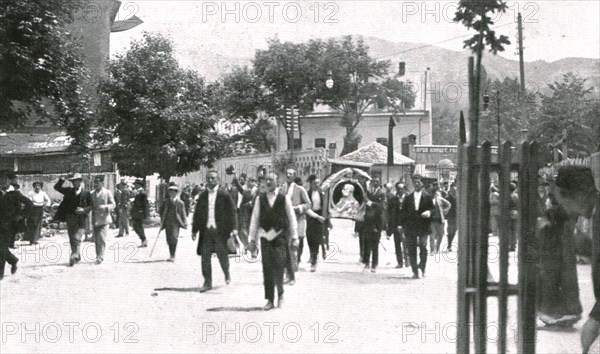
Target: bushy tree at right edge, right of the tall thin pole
571	106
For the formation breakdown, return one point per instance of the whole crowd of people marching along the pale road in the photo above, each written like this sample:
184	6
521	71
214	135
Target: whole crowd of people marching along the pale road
275	218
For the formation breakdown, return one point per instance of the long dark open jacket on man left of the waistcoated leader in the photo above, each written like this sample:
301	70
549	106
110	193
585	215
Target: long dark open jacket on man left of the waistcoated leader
225	217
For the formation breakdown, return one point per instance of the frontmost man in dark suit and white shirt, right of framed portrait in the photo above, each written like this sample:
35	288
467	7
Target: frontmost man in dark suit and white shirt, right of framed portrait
416	218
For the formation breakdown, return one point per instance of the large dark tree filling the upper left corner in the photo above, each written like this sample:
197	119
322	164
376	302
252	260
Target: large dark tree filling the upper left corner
41	70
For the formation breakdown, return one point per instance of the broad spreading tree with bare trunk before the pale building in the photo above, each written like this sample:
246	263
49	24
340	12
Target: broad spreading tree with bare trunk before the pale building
295	75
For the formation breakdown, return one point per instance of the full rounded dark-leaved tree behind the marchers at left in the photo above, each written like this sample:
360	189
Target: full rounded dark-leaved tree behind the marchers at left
156	113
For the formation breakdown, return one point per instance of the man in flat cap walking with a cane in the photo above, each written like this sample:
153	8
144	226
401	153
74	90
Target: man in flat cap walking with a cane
172	218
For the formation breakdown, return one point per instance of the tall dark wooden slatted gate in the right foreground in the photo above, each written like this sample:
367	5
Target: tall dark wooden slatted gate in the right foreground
474	287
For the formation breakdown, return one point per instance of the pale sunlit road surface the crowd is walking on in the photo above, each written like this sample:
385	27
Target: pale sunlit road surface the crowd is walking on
133	303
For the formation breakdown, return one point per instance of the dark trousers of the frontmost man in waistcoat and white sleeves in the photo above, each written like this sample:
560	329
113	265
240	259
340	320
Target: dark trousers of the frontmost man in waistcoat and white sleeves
273	261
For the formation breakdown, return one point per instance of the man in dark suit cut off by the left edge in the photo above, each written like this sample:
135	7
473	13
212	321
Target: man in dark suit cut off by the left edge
11	213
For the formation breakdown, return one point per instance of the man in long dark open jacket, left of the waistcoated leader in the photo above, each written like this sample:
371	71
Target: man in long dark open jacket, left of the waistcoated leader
215	218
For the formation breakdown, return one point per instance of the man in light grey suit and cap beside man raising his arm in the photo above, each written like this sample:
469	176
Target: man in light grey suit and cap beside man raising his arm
103	203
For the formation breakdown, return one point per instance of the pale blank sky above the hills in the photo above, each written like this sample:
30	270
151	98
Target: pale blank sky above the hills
553	29
